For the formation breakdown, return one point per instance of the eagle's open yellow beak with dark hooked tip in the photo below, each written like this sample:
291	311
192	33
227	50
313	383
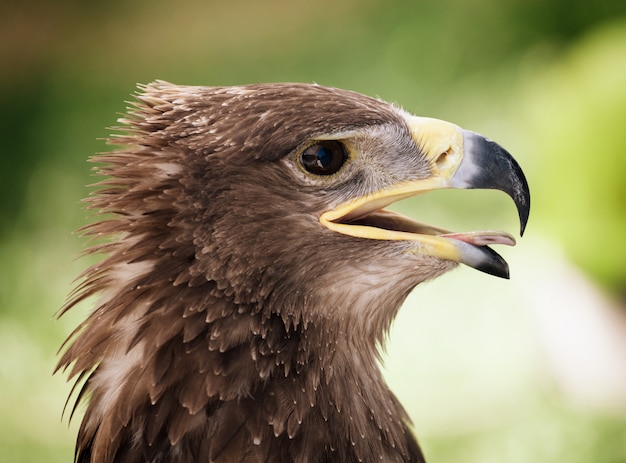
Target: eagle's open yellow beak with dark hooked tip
458	159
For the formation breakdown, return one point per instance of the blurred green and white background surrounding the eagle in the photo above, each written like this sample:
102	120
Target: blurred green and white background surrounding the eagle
531	369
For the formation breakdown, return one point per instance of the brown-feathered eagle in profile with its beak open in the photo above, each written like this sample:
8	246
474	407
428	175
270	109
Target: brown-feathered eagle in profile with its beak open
249	272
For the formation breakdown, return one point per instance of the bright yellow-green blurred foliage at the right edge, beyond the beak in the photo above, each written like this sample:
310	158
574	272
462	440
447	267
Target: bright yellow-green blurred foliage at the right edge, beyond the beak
574	114
